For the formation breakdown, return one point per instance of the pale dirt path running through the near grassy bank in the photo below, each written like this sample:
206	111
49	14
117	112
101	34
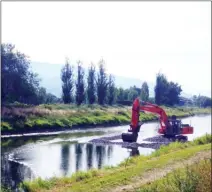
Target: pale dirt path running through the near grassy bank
158	173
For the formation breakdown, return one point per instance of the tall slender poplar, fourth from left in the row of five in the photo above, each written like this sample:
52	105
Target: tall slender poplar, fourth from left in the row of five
102	84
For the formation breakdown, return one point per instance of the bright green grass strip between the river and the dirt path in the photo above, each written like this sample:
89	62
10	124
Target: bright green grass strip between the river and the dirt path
126	173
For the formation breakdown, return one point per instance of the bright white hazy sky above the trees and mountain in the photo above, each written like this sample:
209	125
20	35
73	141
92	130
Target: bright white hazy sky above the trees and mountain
136	39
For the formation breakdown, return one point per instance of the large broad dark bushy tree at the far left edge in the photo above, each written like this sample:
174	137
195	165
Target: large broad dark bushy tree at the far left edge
19	83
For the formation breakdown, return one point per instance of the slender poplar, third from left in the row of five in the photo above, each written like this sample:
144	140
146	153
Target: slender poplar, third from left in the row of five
91	86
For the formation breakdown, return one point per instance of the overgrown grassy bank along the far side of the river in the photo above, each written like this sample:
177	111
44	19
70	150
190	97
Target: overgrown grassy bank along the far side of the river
23	118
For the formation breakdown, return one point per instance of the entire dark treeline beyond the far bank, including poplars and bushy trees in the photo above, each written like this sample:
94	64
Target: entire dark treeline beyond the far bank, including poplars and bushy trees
21	84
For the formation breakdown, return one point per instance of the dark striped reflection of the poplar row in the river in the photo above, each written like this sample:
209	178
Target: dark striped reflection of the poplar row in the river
76	157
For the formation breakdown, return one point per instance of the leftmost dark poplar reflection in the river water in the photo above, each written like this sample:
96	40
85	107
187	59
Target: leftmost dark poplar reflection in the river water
65	158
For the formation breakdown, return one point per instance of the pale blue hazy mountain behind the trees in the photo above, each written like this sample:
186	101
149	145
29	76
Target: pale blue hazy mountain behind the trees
50	79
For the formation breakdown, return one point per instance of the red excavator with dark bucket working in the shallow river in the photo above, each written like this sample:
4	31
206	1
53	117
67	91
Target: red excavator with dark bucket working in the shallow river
170	128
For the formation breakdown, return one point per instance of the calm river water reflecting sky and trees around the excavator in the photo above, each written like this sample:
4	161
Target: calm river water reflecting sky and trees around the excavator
25	158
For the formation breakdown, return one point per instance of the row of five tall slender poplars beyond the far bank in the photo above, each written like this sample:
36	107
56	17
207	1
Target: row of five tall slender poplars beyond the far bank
99	87
